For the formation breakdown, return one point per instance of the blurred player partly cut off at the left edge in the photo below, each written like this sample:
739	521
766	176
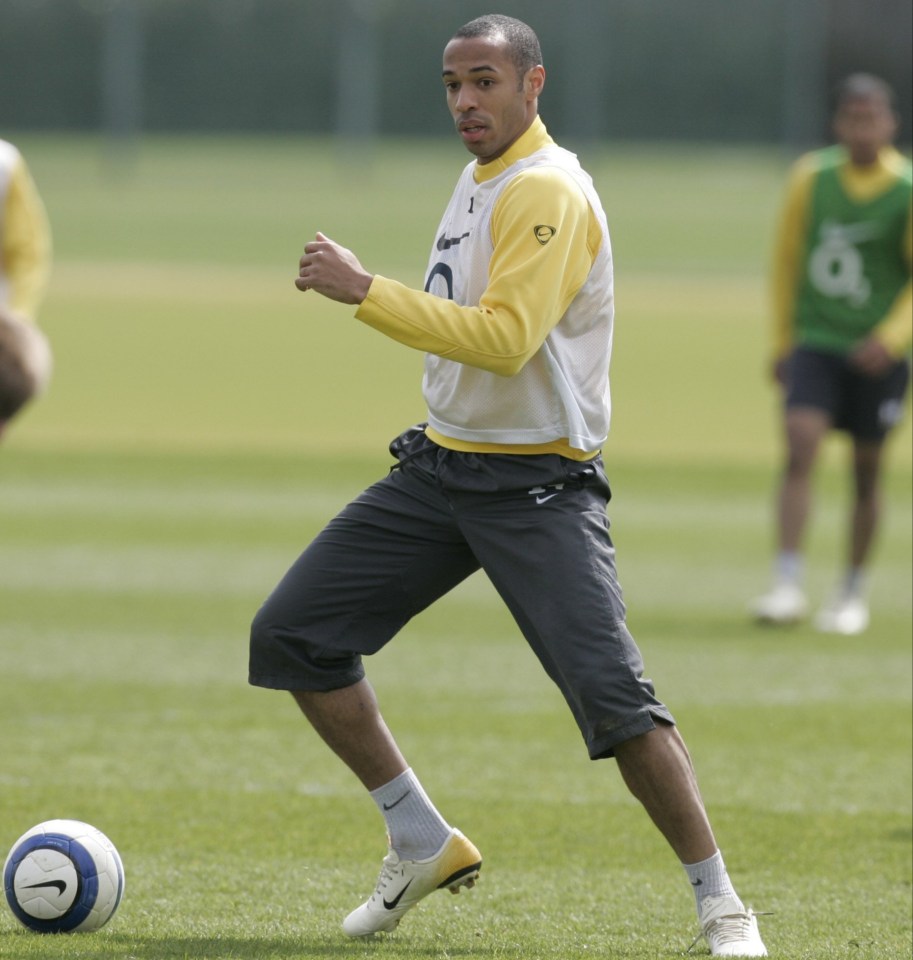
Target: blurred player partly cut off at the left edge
25	253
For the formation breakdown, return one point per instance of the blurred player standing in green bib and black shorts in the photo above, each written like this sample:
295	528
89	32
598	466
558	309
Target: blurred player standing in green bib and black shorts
842	332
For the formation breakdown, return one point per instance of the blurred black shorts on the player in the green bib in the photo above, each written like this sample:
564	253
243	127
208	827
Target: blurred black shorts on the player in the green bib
865	407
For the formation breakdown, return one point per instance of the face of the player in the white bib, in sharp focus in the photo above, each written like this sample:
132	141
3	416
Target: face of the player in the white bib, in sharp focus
491	105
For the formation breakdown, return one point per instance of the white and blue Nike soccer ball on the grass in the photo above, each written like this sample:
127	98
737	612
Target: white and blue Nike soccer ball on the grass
63	876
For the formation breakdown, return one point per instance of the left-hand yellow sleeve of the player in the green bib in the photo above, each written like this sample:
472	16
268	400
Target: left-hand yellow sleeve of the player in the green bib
789	253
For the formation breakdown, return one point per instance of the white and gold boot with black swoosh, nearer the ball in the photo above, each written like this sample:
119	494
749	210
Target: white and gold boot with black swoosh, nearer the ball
402	883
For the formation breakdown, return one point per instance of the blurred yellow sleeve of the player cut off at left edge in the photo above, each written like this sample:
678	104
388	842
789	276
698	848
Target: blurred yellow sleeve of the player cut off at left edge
26	243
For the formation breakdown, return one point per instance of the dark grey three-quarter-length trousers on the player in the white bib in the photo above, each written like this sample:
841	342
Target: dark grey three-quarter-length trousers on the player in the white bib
537	525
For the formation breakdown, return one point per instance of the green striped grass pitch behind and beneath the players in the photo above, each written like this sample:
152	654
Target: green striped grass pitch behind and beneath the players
206	419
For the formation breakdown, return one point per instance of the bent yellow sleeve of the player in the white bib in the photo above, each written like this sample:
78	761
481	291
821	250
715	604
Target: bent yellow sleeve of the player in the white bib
529	288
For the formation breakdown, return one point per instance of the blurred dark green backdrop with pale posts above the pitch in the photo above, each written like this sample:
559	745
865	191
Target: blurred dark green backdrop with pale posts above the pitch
731	70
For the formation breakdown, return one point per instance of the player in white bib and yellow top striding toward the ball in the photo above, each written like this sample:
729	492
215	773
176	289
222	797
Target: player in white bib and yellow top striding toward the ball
515	320
